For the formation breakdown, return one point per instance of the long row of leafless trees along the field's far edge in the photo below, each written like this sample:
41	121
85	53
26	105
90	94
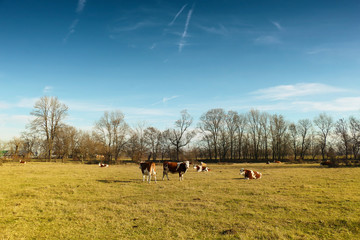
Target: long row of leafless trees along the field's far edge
219	136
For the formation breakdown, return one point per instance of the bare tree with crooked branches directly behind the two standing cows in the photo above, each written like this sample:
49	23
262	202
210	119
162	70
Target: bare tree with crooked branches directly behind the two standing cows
181	136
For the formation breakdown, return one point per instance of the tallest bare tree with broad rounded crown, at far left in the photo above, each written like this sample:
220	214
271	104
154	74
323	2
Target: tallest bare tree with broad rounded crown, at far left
49	114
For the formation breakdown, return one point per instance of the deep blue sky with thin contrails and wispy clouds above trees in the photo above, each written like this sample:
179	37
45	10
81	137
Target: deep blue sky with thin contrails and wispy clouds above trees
152	58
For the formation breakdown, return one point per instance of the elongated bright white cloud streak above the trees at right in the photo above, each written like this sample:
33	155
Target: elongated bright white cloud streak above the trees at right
282	92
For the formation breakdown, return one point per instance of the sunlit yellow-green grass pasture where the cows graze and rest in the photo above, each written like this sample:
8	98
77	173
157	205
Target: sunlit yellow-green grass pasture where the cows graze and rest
74	201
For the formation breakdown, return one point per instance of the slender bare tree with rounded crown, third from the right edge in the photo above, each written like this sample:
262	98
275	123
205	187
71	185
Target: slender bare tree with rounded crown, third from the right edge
324	124
